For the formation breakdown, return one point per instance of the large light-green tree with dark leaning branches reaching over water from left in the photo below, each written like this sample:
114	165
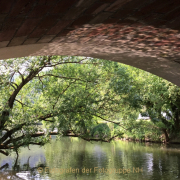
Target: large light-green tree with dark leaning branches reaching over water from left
68	93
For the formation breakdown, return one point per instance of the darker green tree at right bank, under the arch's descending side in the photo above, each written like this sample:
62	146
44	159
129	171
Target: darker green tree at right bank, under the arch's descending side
154	97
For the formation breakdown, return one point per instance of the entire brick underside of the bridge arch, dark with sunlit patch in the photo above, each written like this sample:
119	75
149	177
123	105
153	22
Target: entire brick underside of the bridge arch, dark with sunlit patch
144	34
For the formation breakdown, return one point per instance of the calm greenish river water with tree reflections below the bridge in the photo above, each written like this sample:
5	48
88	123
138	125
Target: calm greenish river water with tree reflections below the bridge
73	158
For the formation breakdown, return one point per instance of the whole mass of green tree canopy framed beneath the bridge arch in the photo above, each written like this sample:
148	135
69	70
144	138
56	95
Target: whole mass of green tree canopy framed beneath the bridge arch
73	93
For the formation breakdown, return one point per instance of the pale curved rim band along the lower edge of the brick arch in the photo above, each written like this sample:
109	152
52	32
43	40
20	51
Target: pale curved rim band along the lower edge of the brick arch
160	66
